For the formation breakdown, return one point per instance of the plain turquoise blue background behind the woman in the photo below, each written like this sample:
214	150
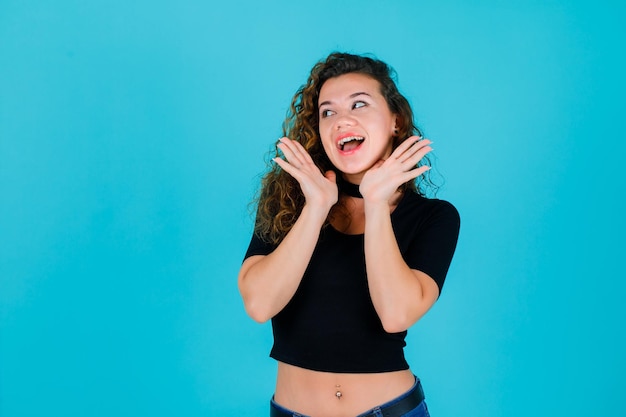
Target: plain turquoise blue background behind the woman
132	136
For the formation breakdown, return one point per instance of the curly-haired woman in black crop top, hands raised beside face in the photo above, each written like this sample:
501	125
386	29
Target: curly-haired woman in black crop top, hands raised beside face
347	252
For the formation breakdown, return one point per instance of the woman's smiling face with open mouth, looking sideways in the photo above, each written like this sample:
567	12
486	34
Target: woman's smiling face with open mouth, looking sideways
355	123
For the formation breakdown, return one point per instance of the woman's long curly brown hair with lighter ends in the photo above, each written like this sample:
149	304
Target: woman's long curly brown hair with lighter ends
280	199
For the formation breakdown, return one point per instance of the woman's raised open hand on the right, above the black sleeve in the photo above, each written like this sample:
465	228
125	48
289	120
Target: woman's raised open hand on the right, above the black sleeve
382	180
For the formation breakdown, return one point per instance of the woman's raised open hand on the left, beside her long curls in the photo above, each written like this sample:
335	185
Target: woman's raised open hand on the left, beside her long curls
320	190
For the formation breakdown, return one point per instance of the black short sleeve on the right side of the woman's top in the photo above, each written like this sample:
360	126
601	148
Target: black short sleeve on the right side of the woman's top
432	247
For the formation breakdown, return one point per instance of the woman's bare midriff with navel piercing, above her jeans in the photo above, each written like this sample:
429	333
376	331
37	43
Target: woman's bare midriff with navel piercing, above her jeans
327	394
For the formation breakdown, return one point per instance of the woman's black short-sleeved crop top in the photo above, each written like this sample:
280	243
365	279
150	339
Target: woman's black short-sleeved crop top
330	323
